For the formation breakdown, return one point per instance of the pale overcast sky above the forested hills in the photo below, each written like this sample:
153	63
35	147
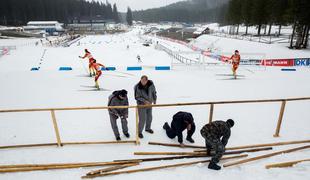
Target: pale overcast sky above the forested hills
139	4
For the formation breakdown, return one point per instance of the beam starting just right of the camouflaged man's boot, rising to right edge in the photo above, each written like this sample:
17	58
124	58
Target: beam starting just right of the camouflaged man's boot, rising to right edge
265	156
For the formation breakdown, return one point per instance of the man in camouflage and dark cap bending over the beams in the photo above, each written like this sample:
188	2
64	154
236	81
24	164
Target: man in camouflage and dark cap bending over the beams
216	135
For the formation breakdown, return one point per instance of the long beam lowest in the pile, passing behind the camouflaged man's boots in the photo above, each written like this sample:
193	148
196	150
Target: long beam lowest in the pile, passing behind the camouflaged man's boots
162	167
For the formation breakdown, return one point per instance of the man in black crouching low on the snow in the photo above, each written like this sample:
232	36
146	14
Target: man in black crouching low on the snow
180	122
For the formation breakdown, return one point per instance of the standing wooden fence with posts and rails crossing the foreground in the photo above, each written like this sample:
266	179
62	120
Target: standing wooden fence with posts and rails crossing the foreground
137	140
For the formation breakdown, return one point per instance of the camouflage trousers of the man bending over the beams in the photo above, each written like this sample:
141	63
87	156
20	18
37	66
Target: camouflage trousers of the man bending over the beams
214	146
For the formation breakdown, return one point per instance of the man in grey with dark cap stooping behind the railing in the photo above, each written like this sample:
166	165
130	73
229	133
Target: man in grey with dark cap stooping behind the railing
119	98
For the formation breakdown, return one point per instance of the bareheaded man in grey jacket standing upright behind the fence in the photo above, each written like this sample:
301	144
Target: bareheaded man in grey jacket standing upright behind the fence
145	94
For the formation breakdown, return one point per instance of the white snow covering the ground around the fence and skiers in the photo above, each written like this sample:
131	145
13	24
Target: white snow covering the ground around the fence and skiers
255	123
